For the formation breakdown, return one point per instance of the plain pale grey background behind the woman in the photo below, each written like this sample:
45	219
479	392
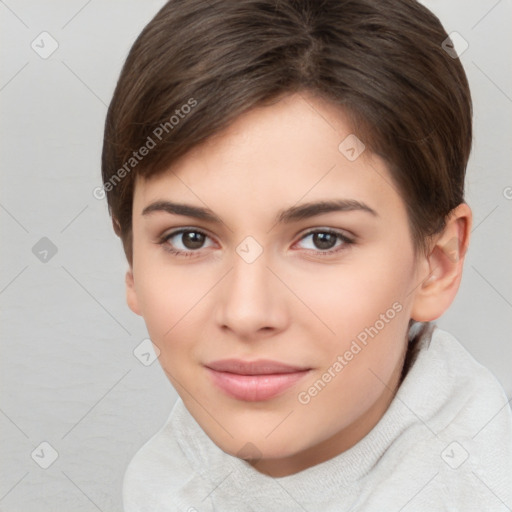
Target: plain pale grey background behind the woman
69	376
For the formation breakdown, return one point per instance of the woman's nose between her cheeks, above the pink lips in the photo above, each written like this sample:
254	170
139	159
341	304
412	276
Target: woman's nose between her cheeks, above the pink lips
251	302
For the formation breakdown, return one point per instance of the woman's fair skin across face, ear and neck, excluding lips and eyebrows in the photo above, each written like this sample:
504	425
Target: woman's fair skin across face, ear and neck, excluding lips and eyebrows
292	304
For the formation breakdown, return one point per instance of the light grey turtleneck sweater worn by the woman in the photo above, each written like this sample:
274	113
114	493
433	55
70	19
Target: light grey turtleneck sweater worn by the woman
444	444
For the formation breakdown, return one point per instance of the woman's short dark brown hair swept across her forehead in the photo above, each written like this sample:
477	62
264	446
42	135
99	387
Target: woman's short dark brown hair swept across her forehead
381	61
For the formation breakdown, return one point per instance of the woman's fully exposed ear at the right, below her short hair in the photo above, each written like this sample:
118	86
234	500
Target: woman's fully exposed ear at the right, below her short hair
442	267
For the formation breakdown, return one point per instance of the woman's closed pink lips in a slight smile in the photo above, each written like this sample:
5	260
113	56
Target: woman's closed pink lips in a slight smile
254	381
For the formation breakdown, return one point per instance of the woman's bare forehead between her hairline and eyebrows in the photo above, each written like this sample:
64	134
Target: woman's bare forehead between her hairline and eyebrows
298	149
